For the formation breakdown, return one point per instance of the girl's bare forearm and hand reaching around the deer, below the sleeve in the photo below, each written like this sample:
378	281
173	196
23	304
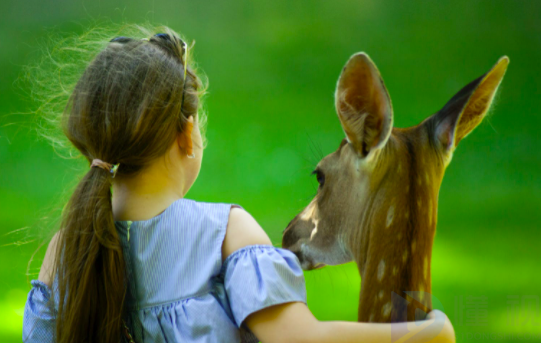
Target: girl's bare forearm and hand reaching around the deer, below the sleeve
294	323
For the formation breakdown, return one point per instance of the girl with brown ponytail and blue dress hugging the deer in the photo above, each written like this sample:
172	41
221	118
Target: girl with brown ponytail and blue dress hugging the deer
144	264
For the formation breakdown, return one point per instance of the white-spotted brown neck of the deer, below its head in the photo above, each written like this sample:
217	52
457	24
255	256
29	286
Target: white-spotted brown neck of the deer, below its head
394	250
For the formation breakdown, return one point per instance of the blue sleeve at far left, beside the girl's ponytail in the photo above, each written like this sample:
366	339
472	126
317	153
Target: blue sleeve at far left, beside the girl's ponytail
39	316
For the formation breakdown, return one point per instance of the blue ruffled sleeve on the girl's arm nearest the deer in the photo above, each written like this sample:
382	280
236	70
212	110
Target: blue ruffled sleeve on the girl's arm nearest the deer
259	276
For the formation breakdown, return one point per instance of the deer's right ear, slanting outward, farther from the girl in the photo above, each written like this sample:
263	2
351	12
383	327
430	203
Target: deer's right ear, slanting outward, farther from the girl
468	107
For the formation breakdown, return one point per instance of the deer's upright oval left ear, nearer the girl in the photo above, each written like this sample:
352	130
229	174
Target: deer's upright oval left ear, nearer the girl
363	105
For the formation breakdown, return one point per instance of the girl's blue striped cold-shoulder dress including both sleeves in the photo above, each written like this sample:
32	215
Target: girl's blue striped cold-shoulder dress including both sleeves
179	290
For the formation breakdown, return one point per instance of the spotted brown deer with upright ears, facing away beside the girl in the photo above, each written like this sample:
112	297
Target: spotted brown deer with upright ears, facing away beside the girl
377	198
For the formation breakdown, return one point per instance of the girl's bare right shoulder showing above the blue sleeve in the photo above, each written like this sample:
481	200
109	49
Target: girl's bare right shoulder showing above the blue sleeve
242	230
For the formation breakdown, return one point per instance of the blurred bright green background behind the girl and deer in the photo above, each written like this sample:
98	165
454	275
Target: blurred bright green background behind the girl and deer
272	67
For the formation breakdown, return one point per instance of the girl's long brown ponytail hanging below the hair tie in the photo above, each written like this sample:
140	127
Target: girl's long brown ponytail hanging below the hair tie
91	275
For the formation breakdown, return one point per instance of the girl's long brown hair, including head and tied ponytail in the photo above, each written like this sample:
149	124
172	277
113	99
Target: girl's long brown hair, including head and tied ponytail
126	109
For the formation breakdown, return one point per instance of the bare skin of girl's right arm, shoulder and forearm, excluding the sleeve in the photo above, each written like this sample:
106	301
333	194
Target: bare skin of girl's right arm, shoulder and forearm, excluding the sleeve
293	322
